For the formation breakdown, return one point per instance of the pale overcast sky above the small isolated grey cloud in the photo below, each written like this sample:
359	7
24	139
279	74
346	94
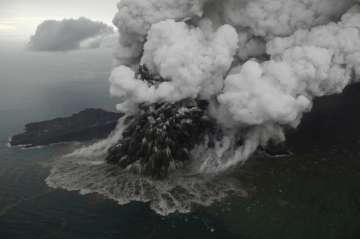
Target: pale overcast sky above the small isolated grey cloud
19	18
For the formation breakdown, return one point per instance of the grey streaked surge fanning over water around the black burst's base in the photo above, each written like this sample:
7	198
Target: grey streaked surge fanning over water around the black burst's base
85	171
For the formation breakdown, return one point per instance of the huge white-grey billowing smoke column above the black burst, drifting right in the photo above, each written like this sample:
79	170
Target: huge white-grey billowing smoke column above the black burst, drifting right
259	63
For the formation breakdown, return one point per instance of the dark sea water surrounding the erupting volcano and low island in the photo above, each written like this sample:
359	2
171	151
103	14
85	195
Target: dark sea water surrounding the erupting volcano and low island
314	194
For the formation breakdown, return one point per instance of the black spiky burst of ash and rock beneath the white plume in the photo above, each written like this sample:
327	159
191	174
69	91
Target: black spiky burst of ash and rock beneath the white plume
161	134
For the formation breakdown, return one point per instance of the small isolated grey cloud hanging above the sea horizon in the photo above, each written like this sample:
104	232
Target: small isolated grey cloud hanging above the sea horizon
70	34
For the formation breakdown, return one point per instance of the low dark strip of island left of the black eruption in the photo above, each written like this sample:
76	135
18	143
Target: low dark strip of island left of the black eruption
86	125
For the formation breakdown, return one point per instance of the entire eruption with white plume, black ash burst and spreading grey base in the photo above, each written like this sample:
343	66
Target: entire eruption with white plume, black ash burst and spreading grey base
206	83
